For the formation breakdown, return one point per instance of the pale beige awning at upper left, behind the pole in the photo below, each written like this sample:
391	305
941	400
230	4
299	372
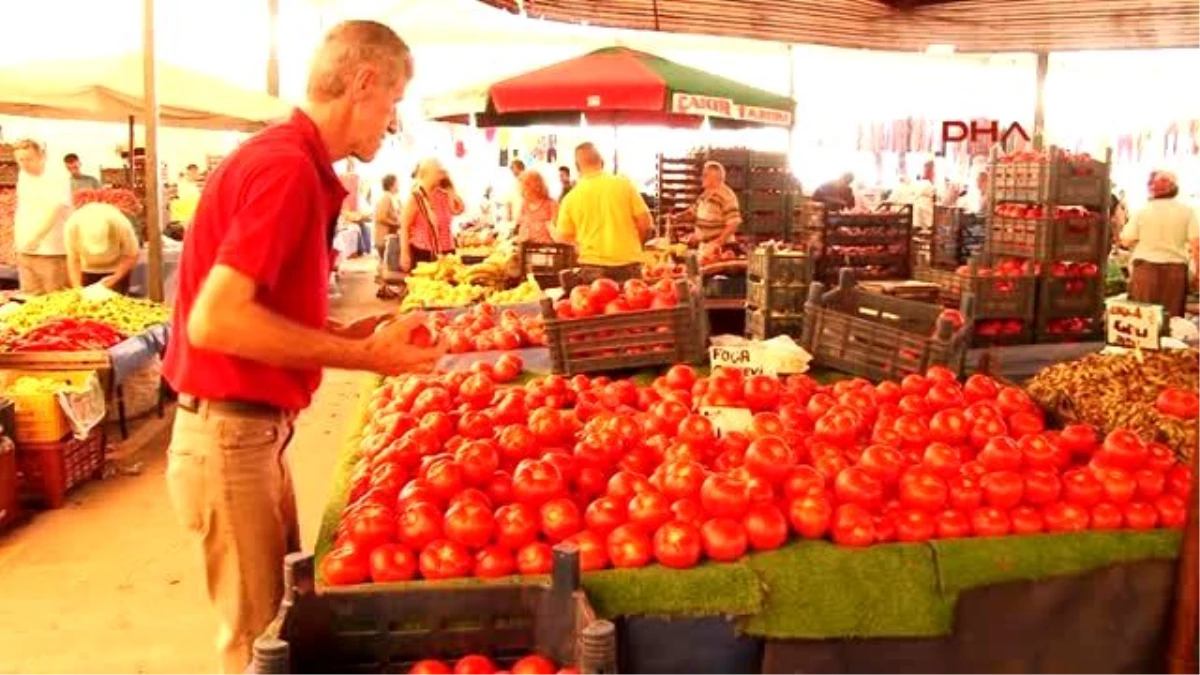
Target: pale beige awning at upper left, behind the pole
111	89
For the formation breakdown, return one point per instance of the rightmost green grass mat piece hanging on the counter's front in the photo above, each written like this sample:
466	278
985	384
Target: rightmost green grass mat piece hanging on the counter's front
969	564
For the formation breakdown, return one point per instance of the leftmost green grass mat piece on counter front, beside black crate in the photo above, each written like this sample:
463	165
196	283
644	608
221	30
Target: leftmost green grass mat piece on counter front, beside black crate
709	590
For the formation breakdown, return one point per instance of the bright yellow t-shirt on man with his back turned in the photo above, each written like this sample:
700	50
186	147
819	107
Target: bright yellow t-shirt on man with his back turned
601	214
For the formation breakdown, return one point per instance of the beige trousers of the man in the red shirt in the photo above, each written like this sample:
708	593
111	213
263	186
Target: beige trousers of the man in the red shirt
231	487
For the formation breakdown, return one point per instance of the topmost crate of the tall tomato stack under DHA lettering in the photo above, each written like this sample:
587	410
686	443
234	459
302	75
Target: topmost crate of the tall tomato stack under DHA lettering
1052	178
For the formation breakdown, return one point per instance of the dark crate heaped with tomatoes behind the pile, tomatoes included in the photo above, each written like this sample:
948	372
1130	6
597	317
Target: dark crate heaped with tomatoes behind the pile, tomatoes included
605	326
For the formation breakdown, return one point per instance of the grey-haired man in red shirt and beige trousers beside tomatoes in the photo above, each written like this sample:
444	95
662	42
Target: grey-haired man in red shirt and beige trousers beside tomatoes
253	330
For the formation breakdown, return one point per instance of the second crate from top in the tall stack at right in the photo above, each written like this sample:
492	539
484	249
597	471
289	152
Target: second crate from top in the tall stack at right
1047	240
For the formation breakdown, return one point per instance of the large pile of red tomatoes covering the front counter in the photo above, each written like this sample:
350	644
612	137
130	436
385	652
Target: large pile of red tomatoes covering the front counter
459	477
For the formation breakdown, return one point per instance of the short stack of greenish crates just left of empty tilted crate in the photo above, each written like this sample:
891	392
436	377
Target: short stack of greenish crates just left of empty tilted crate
777	290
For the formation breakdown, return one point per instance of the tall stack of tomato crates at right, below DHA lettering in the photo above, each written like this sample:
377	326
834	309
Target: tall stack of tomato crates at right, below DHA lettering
1051	212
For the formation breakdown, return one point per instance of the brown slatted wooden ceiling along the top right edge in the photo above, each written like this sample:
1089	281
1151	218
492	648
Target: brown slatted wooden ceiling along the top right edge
970	26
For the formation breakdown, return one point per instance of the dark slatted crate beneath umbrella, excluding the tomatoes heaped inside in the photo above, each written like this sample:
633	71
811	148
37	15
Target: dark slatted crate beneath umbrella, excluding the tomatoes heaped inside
631	341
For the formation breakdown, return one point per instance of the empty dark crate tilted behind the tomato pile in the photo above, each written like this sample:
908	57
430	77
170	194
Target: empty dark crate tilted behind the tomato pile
878	337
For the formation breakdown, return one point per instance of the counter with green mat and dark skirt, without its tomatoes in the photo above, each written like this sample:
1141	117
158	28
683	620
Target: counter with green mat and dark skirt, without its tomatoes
1082	604
